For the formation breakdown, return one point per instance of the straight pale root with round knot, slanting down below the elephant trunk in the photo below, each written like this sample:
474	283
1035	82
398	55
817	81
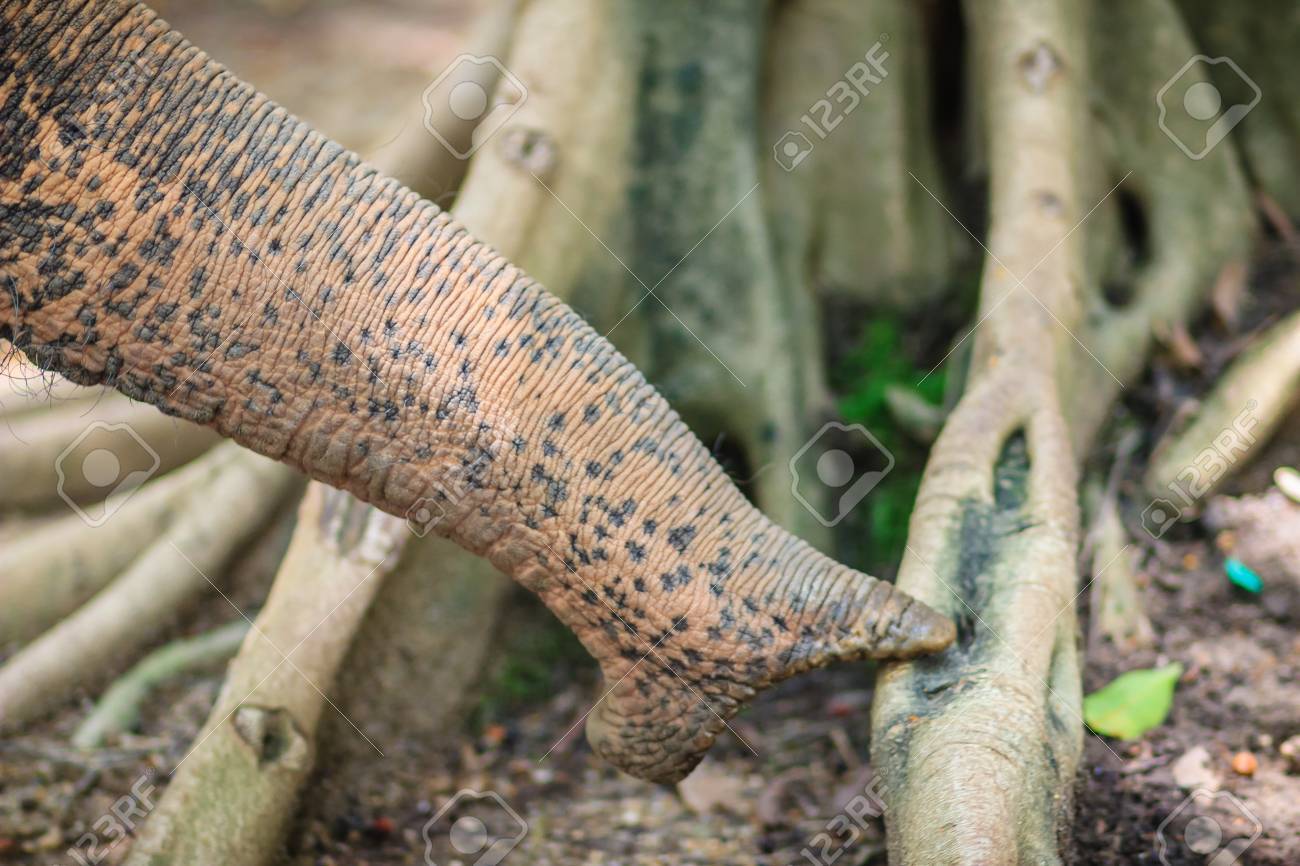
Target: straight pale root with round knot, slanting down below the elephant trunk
233	795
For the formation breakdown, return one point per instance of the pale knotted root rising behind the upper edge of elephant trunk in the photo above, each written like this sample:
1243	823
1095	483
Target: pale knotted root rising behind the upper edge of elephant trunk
561	161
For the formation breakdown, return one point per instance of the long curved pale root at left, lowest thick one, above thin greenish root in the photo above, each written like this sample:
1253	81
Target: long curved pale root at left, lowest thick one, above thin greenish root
242	492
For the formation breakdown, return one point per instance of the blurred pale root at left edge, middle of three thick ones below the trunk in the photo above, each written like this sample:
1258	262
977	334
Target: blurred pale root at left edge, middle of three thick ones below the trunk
49	571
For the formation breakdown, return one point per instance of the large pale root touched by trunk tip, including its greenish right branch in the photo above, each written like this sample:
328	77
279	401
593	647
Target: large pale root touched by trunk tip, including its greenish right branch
978	747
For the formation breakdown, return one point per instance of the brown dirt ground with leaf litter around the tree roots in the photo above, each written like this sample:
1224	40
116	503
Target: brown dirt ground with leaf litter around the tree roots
801	755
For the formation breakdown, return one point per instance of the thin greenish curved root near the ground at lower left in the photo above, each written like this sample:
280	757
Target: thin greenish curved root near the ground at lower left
120	707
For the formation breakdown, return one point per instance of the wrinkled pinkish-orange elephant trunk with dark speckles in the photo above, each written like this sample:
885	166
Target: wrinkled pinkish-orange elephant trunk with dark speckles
168	232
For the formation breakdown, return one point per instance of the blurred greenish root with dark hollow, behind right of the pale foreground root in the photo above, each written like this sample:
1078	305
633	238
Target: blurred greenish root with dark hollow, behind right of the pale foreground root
1172	226
